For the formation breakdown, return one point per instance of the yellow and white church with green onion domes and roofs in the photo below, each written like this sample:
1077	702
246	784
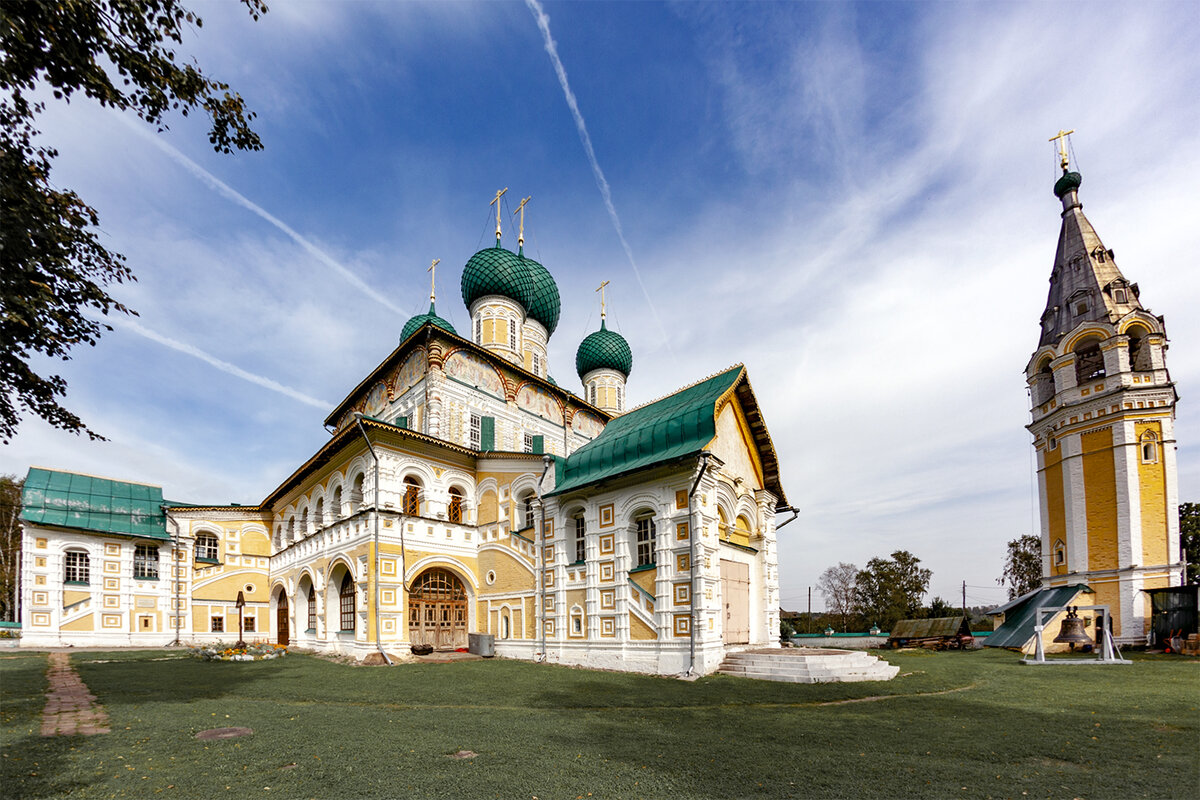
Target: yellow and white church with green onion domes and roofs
461	491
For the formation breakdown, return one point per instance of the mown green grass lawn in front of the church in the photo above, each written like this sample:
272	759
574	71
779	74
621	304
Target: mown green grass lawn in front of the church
962	725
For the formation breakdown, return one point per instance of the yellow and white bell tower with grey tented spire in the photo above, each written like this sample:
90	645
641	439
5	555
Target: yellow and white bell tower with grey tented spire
1103	425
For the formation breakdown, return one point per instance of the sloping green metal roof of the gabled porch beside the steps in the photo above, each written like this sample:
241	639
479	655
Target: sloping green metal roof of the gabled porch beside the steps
674	428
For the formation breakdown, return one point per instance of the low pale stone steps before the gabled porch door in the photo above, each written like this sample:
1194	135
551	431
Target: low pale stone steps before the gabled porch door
807	666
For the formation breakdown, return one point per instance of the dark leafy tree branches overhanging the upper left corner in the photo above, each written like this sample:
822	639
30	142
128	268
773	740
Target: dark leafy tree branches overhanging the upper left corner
56	270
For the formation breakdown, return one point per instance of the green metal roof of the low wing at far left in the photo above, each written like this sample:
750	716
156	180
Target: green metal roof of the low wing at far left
98	504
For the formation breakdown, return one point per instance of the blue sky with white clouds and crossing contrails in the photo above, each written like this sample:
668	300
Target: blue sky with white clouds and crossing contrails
851	200
